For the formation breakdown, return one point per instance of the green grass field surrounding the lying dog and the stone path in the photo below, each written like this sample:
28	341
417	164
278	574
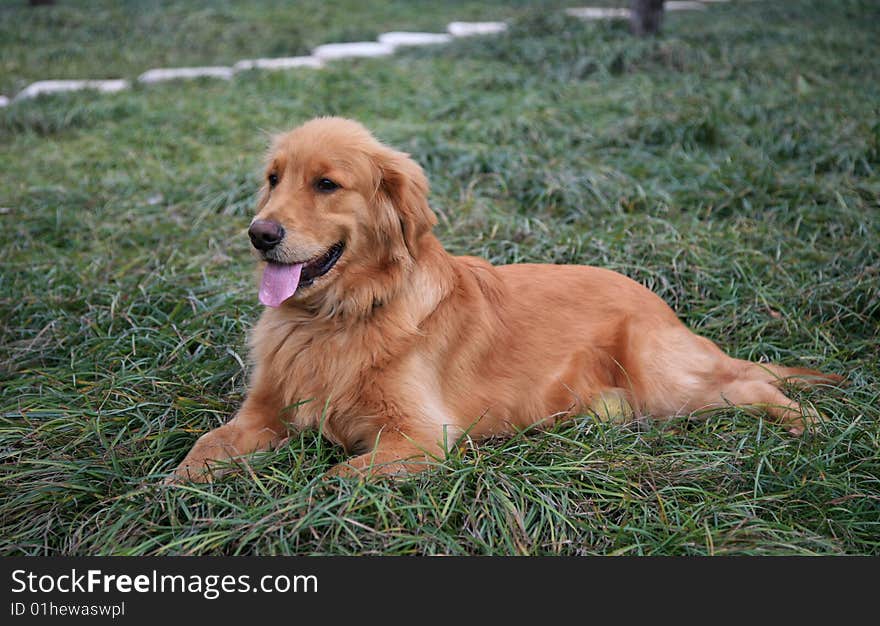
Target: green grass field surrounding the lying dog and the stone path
732	165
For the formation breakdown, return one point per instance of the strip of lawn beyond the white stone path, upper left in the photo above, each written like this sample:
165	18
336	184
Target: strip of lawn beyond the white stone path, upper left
113	39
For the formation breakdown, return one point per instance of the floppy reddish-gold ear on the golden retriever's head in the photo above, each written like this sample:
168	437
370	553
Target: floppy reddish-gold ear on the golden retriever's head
404	183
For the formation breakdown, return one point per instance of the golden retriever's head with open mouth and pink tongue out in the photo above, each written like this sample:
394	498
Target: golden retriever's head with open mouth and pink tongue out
339	216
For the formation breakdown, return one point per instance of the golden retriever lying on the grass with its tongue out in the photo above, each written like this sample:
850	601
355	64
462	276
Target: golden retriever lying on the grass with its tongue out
397	350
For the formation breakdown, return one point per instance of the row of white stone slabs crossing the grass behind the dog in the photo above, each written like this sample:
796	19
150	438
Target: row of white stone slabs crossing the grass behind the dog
386	44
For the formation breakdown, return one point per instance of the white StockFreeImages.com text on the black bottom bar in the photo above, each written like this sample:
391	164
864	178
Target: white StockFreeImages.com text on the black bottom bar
210	586
